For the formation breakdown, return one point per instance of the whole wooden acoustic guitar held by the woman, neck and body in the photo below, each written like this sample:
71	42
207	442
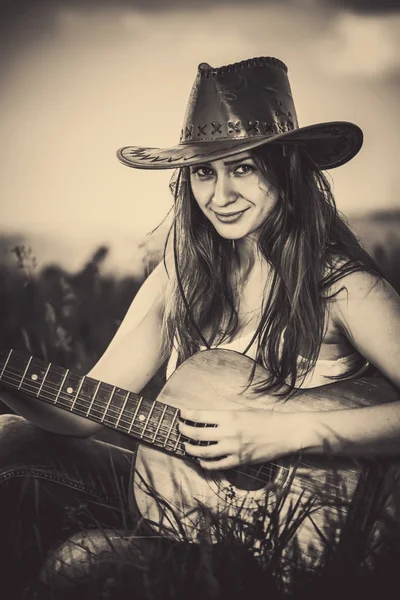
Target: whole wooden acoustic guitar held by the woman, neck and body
322	487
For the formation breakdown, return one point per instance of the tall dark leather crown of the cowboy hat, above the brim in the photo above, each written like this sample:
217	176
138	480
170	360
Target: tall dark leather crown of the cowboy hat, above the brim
242	100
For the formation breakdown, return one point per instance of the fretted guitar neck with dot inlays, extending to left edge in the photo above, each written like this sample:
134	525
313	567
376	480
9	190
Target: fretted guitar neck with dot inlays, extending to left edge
146	420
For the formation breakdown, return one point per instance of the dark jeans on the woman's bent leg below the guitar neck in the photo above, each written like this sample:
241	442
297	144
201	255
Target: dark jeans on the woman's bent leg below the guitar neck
55	488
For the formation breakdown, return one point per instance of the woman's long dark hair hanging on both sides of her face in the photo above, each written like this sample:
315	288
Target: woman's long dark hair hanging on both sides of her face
306	242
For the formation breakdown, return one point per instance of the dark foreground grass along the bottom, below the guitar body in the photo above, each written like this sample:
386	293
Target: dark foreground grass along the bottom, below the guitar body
234	566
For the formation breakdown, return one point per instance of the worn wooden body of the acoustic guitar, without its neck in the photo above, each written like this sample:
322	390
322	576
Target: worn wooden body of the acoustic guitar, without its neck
219	379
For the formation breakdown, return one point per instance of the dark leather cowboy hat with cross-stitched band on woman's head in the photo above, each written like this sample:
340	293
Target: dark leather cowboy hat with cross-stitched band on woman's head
238	107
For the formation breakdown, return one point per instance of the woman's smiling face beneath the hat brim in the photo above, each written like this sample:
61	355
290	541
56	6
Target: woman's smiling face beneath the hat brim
233	195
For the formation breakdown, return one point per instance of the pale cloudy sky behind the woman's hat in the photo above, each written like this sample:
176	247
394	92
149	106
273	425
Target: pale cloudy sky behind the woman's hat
78	80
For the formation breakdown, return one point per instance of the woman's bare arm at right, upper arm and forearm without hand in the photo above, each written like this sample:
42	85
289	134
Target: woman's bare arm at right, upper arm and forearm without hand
368	312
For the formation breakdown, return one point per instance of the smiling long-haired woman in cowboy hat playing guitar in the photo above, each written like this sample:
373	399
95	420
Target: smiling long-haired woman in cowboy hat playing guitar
258	261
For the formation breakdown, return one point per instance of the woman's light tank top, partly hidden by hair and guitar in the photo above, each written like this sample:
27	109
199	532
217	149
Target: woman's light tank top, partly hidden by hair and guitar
323	370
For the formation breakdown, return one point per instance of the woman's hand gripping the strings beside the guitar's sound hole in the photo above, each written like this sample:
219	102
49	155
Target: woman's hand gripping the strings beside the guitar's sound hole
239	436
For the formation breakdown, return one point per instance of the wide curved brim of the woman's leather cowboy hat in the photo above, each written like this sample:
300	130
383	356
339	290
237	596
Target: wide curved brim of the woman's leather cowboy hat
329	145
